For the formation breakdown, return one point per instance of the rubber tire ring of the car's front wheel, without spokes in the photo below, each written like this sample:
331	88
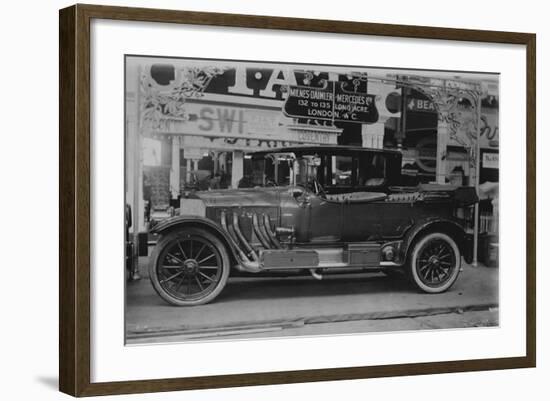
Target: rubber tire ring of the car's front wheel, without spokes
165	241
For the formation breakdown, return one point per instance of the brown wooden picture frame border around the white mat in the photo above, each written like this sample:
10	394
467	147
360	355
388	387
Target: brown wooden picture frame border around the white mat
75	210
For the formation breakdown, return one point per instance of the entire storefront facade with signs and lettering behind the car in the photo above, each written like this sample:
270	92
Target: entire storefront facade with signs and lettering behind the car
190	124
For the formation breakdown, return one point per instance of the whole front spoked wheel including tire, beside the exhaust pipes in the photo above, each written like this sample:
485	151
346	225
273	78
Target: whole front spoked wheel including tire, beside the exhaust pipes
189	267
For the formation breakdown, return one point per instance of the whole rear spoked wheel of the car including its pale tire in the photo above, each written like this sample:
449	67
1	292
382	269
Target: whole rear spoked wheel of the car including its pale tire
435	263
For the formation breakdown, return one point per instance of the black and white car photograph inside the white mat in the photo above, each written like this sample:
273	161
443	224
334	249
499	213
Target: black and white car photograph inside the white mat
271	199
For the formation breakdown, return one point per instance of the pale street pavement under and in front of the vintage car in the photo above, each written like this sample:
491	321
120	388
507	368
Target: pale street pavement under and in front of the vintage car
266	307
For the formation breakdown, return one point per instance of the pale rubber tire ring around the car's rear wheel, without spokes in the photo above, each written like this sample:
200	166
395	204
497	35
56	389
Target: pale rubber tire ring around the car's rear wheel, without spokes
412	273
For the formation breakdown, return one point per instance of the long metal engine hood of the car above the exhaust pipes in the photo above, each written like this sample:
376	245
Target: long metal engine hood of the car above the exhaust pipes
259	197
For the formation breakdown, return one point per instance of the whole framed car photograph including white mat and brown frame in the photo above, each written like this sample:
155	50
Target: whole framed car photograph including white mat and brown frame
250	200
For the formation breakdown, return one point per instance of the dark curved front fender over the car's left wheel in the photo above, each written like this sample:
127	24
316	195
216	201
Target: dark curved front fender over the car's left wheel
183	221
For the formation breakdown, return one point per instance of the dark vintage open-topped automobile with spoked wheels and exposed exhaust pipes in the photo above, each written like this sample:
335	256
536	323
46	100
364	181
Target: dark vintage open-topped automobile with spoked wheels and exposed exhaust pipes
321	210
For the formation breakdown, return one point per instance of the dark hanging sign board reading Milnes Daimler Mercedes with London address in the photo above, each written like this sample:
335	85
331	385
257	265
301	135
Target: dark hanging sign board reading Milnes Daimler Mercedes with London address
330	103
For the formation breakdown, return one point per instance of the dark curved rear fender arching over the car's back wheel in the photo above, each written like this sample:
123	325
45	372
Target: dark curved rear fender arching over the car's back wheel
448	226
